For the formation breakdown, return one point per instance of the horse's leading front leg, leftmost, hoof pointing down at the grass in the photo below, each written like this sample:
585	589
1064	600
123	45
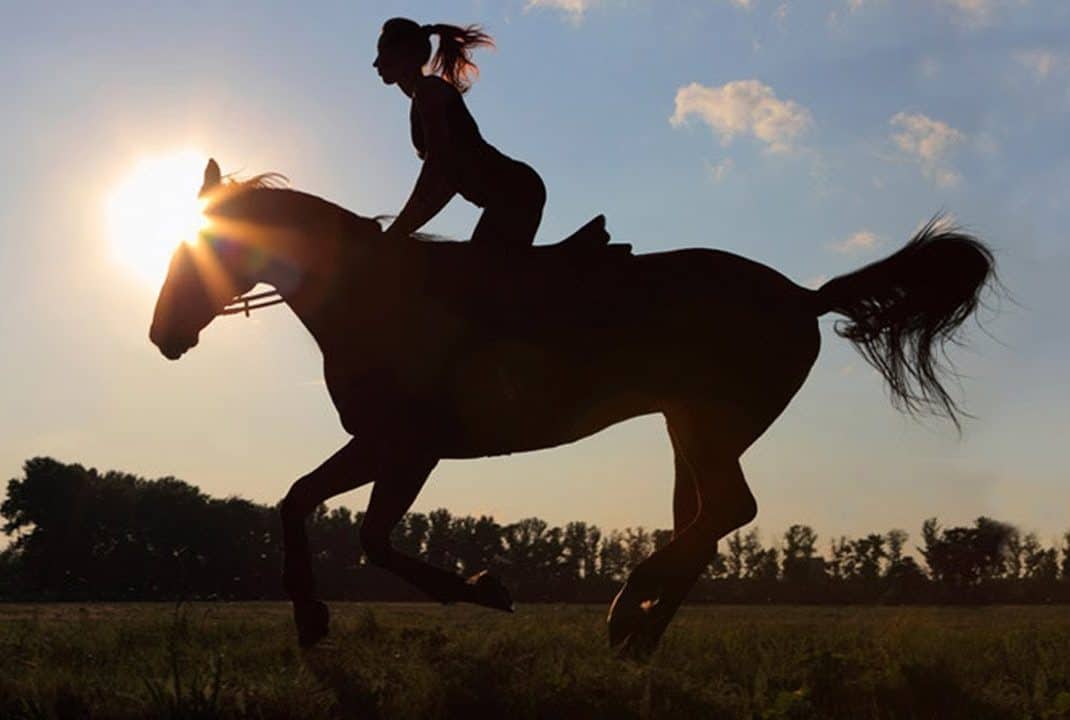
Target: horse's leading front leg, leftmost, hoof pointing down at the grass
349	468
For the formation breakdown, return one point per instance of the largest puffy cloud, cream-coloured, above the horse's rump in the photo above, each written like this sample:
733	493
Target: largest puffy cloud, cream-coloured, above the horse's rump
743	108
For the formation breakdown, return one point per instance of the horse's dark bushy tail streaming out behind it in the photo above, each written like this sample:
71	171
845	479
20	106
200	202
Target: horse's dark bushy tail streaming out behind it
903	312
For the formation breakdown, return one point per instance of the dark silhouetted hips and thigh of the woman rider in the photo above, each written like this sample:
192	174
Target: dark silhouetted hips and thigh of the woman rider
512	222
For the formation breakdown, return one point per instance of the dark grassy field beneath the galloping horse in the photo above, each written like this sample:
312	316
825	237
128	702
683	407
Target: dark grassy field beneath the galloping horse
207	661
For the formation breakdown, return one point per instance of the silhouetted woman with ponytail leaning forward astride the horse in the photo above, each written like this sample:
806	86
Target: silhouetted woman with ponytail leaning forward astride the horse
456	158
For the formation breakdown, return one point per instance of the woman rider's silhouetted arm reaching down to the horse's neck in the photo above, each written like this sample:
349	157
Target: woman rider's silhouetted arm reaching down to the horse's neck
436	186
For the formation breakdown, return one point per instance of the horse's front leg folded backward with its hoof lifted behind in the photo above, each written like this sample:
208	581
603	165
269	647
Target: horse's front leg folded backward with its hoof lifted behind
400	483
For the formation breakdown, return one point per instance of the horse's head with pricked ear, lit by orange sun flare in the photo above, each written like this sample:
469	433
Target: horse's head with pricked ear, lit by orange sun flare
204	277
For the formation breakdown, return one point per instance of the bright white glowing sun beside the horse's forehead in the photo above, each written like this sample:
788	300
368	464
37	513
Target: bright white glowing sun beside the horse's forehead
154	209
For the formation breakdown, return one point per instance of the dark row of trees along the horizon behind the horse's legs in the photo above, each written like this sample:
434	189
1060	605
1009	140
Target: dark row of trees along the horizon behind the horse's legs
80	534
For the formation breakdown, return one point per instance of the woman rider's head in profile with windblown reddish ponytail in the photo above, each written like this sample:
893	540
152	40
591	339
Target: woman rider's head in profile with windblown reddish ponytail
405	49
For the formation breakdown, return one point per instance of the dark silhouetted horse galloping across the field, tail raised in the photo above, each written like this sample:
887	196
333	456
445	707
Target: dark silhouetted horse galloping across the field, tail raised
436	349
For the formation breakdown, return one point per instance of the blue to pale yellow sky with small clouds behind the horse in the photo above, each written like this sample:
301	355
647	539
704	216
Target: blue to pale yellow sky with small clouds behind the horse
814	136
